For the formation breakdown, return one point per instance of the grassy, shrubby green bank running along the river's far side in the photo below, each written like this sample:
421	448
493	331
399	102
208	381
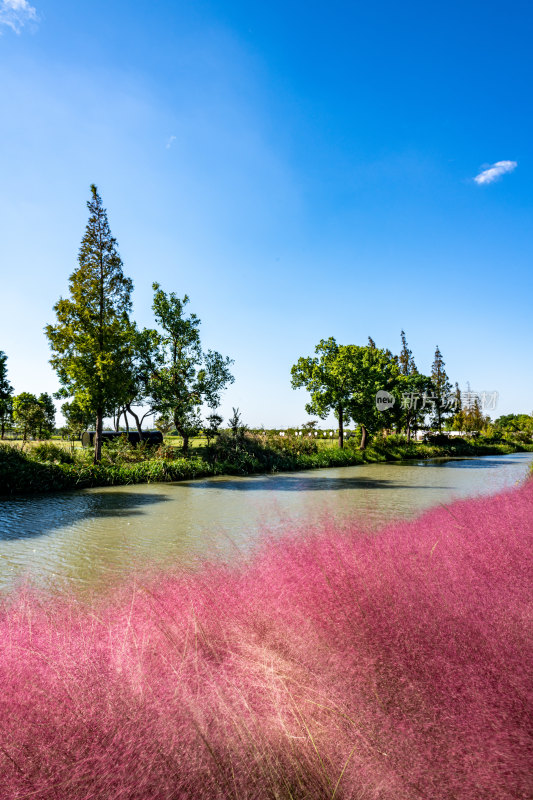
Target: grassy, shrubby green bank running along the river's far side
47	468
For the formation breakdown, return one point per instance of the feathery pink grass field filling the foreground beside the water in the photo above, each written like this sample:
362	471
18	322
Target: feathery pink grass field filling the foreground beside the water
334	665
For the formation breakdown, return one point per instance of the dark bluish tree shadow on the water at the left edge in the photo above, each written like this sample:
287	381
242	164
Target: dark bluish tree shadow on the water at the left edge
26	517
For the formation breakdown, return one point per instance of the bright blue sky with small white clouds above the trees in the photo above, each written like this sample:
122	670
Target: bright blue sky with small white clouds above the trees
300	170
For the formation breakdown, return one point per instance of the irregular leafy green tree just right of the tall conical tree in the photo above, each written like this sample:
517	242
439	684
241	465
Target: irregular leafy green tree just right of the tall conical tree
182	377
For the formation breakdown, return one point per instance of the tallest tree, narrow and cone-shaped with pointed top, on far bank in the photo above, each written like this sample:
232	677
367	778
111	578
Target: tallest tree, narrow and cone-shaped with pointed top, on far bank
92	340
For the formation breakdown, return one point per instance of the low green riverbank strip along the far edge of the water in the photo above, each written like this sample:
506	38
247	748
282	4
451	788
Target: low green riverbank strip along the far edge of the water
21	473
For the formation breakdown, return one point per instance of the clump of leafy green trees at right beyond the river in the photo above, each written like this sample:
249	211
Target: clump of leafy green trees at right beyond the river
351	380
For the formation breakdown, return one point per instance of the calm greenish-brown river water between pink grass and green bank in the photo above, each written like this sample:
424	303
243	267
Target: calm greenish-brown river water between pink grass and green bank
83	538
